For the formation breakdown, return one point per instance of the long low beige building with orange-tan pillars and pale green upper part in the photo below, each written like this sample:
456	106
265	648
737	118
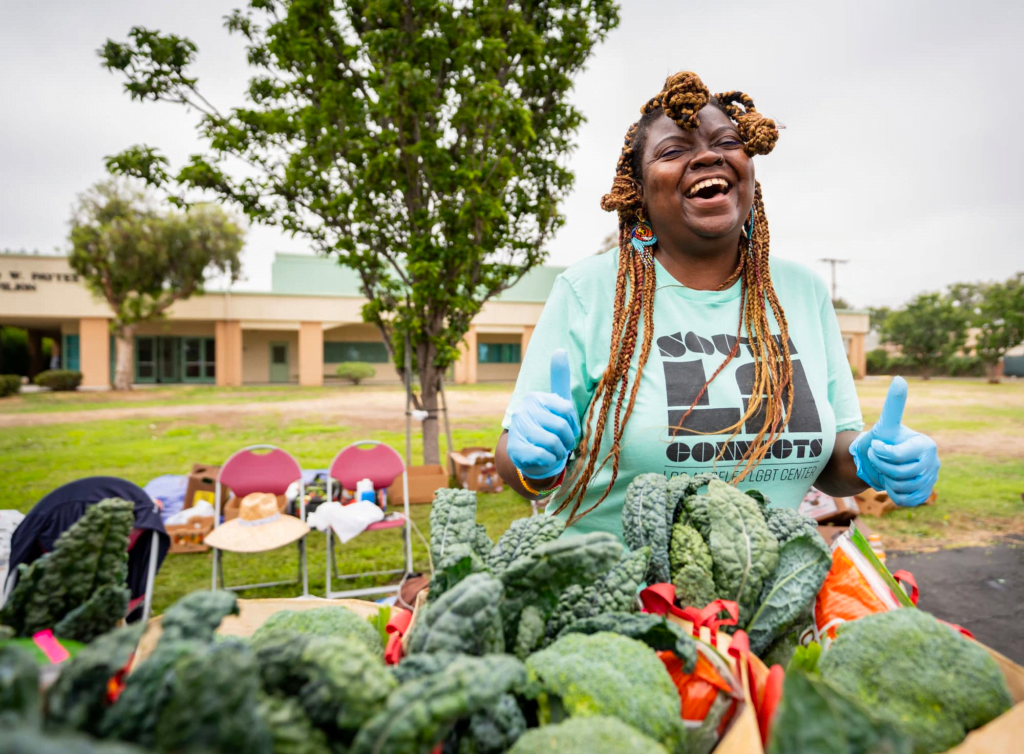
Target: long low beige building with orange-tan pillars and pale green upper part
297	333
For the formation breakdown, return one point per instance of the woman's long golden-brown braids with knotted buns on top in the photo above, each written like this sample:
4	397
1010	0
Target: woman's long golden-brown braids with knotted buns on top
681	100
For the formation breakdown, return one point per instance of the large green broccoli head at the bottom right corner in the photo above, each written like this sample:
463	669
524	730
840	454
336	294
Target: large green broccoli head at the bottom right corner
908	668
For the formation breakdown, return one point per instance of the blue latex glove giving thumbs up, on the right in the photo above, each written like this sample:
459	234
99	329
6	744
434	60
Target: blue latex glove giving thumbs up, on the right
897	459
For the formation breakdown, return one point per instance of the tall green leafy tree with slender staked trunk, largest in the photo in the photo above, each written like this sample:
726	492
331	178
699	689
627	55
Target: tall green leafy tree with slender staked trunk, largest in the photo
422	144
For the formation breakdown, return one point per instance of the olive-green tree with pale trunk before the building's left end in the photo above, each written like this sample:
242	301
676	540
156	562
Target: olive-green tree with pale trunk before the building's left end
143	261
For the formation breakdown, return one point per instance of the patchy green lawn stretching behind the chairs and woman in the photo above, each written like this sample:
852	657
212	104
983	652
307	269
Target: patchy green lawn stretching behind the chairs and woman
980	486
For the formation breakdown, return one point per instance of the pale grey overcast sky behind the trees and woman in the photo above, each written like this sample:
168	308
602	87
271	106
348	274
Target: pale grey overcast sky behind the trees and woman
903	151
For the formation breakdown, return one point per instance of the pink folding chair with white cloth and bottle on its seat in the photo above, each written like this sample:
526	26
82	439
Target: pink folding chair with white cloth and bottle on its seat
369	459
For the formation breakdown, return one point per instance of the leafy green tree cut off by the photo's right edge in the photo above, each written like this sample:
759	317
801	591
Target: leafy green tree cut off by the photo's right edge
999	322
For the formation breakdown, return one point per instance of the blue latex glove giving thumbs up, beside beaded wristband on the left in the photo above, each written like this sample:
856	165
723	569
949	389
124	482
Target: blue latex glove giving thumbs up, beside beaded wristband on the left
545	428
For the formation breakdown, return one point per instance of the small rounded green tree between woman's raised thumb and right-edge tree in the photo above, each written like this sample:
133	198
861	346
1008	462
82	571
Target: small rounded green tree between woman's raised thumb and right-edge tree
929	330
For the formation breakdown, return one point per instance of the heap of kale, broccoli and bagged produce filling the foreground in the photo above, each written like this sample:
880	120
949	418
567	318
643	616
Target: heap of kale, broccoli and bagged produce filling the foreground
723	625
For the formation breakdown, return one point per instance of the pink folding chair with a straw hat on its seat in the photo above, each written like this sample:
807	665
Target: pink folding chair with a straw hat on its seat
248	472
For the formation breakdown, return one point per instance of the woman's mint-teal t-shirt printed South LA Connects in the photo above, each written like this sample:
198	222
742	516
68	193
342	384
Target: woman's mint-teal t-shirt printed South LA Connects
694	332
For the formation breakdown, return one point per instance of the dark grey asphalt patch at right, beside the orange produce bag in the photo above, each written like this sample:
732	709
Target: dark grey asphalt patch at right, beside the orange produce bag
980	589
